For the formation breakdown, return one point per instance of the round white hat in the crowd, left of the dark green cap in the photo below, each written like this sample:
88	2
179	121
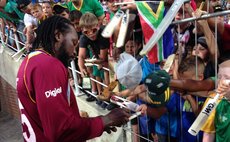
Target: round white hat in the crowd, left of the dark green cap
128	71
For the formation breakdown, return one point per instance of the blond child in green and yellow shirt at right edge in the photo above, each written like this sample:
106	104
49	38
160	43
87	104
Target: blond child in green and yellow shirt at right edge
217	126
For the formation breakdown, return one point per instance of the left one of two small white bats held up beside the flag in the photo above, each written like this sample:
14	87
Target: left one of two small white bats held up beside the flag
109	29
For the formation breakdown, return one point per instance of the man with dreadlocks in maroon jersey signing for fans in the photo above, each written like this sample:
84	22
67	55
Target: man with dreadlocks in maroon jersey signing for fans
49	111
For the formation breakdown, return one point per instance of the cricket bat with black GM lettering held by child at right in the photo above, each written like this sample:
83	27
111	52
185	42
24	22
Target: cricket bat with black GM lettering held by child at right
204	114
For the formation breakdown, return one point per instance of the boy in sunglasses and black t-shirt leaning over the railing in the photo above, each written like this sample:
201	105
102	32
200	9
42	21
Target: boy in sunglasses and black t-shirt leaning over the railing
92	41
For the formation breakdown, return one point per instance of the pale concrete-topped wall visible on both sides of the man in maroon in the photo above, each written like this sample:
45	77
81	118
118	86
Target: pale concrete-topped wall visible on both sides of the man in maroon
8	97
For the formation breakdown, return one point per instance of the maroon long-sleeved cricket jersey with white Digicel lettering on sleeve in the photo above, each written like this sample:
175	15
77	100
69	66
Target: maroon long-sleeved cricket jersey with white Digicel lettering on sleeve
46	113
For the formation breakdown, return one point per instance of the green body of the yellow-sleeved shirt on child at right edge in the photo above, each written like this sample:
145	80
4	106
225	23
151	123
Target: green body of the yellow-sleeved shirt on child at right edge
222	121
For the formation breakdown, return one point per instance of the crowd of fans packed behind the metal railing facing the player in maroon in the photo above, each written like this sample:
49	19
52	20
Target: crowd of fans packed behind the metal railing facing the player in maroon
191	78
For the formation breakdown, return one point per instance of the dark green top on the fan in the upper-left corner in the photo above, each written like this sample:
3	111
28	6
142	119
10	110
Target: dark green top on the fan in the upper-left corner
11	7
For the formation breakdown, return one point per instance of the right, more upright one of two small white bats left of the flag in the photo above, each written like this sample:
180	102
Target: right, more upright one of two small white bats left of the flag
123	30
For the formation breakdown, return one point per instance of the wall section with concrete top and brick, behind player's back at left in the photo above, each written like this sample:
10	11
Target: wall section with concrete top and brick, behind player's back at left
8	95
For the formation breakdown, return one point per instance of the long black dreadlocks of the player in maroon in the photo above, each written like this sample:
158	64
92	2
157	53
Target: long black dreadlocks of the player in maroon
45	33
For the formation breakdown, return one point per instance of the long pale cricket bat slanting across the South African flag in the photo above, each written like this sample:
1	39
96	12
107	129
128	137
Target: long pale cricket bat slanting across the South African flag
163	26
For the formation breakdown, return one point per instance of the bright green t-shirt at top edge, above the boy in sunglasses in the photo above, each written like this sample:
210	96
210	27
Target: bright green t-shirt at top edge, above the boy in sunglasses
92	6
